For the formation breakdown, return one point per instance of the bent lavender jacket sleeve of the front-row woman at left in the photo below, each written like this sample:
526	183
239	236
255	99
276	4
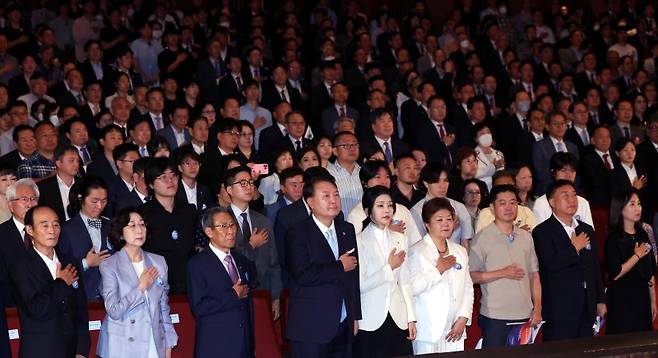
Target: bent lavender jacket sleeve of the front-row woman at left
117	306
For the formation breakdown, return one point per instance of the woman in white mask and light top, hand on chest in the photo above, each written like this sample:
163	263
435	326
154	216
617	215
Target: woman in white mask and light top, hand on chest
489	159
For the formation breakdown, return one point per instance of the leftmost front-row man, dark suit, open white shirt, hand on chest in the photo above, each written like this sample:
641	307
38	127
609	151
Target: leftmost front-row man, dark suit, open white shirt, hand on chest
43	277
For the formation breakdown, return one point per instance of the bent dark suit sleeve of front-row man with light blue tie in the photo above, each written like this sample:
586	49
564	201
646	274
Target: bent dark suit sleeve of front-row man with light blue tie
300	266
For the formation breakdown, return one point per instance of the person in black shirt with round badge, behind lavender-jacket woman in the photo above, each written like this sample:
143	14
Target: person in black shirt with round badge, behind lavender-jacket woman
174	221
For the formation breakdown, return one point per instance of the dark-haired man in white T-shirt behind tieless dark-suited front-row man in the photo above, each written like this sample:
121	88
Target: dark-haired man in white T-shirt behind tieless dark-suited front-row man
563	167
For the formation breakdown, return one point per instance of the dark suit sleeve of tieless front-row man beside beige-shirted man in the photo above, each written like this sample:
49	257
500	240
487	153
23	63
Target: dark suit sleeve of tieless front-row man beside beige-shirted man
552	258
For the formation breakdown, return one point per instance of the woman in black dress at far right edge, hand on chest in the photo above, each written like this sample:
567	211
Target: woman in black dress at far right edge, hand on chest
630	266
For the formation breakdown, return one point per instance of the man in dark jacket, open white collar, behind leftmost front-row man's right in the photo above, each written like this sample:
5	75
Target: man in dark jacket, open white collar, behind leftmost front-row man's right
55	189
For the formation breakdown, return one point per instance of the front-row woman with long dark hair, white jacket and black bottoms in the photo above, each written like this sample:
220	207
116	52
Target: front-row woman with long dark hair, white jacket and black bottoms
387	326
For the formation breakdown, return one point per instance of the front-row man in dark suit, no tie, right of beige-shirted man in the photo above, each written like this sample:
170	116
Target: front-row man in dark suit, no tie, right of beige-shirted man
572	286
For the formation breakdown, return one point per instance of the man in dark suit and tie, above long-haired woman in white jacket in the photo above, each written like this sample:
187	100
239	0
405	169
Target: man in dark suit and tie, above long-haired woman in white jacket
383	127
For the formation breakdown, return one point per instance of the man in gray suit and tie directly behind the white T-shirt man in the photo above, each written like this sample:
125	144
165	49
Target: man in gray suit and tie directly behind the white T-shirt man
543	150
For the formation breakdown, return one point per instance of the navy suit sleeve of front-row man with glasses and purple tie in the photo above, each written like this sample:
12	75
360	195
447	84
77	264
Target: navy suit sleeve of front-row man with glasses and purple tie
201	299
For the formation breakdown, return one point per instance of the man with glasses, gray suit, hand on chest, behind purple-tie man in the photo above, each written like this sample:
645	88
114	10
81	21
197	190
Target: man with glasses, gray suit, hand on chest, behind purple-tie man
255	238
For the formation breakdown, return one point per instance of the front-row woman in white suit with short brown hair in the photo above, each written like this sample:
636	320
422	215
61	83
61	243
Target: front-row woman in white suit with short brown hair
441	285
